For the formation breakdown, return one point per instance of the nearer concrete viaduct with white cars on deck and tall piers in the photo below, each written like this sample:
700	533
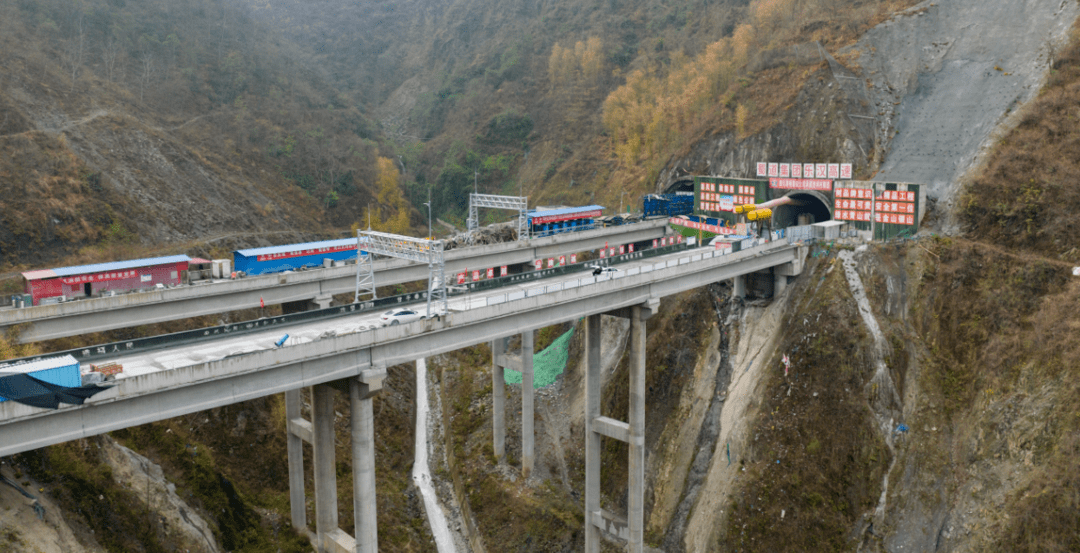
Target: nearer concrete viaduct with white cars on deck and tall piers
356	365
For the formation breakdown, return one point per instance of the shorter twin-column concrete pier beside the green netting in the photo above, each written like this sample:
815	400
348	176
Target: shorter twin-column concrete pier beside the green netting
501	361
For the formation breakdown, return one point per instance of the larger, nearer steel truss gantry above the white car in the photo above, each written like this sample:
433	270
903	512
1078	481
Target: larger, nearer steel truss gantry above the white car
406	248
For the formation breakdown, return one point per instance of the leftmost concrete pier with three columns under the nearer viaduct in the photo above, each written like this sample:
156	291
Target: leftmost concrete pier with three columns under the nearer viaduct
329	538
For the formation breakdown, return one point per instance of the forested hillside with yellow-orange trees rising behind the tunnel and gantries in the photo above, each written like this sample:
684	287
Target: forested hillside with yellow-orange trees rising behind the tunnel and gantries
569	102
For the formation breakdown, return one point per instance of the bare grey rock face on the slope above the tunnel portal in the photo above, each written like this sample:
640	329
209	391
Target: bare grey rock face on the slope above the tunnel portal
947	74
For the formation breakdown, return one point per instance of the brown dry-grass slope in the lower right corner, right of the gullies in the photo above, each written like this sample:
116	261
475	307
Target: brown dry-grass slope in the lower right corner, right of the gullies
1001	330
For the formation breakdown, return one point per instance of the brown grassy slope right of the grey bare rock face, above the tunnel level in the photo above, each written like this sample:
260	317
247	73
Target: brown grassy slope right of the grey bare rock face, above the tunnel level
1029	195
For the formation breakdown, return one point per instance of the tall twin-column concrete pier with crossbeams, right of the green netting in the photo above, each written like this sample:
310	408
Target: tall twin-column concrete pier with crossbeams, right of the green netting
631	529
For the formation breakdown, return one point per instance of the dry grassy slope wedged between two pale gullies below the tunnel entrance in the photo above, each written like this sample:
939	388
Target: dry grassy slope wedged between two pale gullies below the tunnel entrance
816	462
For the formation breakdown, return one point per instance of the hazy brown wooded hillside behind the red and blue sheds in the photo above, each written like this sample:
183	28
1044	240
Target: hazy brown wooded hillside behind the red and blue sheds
145	127
